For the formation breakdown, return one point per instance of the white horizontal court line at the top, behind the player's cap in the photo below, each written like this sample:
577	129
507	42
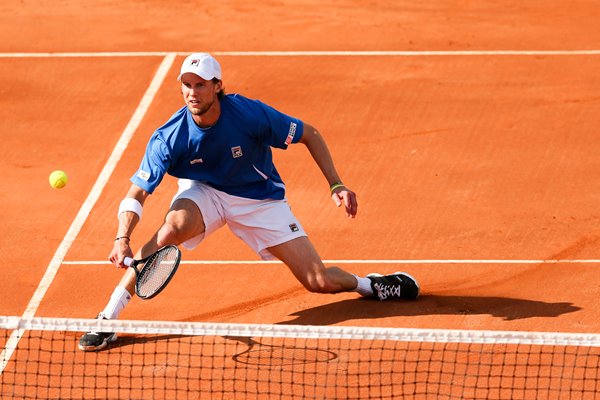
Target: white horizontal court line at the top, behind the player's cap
373	53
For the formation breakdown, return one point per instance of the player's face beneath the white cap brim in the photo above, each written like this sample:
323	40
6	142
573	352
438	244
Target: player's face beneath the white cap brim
199	95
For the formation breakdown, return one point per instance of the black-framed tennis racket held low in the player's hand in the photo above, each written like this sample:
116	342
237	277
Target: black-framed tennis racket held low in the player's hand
156	271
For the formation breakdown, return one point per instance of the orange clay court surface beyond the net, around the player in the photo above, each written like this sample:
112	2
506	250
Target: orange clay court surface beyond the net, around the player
453	157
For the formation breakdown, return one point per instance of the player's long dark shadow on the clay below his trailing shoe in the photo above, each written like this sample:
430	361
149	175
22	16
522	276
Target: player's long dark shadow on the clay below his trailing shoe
506	308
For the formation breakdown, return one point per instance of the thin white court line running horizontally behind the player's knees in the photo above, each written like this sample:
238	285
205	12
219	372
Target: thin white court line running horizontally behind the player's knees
457	261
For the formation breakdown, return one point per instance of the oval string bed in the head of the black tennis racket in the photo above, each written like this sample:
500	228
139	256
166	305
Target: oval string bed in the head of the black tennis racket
157	271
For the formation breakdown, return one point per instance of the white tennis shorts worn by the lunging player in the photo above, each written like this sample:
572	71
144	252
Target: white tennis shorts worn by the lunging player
259	223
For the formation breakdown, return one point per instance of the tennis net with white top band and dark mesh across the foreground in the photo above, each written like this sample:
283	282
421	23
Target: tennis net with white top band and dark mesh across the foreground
178	360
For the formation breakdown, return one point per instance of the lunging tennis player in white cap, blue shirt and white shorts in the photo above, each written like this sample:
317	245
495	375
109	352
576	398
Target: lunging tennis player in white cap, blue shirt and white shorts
219	147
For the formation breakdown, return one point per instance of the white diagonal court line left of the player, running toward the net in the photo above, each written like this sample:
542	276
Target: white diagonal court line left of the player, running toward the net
87	206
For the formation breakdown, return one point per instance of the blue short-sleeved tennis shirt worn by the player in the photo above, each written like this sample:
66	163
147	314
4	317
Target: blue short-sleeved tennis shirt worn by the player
233	156
